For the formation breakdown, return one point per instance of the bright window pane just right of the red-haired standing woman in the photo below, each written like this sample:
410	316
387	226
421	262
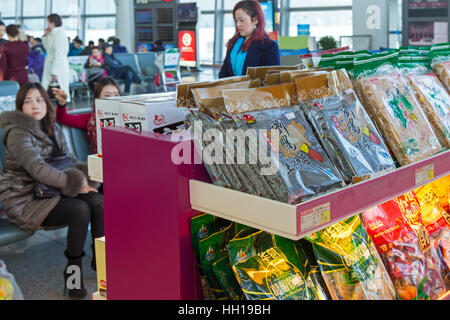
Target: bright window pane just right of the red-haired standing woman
323	23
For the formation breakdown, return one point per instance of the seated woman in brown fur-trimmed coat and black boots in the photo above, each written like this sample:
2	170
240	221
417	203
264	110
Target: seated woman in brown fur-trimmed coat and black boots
32	140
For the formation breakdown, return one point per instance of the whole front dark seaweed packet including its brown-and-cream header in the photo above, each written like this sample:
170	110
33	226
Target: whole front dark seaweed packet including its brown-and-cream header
303	169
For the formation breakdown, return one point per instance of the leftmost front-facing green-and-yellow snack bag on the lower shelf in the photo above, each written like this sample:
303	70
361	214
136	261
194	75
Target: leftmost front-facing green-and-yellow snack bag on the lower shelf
269	267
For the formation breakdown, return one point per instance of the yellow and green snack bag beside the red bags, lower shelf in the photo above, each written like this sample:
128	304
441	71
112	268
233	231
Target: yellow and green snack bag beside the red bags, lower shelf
350	264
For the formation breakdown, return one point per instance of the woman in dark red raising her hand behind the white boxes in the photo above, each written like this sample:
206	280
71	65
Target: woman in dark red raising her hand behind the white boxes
105	88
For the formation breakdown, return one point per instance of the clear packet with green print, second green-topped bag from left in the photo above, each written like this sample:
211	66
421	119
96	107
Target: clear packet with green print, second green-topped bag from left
434	100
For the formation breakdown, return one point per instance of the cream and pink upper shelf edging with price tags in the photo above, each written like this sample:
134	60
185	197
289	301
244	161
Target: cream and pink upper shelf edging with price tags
296	222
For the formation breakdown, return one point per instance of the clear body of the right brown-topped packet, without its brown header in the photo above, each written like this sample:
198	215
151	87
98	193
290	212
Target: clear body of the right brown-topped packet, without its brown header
349	136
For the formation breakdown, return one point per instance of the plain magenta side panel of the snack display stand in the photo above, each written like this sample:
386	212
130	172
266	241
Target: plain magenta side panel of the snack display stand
149	252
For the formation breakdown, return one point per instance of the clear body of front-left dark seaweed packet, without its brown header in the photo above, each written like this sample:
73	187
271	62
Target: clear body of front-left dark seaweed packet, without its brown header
303	170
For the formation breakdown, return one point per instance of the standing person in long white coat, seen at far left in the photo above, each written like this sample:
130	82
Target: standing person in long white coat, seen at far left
56	66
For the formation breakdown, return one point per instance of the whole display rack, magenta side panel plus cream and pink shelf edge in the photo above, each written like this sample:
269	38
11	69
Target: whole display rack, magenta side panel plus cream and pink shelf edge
150	201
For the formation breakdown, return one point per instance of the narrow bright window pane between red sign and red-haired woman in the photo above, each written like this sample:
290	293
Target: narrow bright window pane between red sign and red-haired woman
206	38
